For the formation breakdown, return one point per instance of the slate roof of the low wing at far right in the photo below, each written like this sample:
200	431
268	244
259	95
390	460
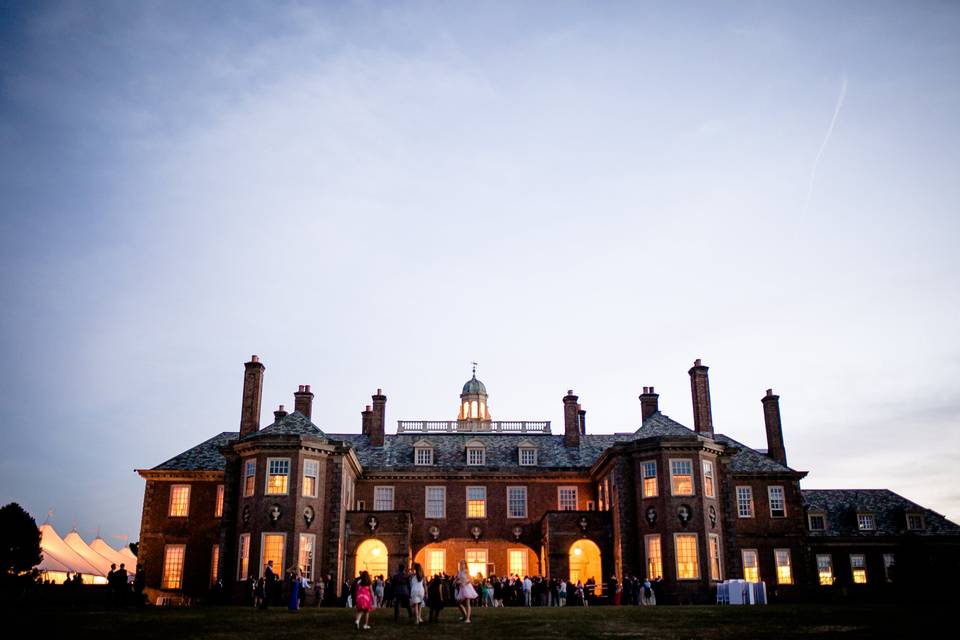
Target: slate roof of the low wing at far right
841	507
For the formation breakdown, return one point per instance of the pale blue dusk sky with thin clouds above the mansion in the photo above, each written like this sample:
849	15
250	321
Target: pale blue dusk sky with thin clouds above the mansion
580	196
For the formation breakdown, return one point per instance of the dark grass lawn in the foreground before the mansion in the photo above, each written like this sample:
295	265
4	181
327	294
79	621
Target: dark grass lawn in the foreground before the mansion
775	621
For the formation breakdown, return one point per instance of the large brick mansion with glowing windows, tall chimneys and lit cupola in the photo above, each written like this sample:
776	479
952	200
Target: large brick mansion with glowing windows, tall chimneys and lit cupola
689	505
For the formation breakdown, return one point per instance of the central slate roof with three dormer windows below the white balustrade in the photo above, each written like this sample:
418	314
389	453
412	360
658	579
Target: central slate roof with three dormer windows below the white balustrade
449	450
